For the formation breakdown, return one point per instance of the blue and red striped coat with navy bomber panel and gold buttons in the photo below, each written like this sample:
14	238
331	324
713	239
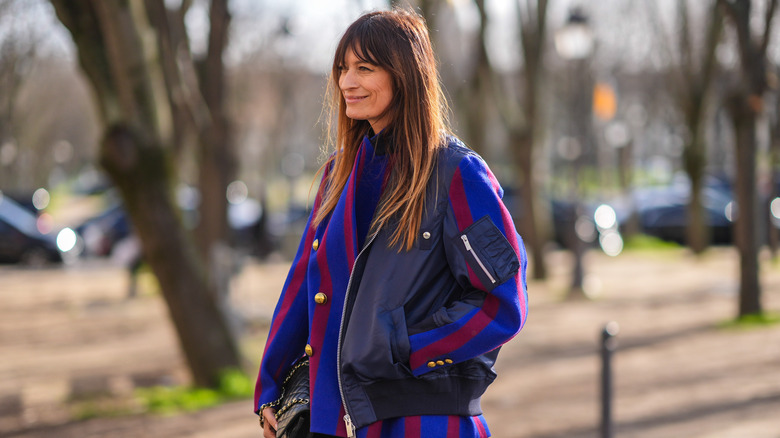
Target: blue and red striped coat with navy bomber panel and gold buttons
403	340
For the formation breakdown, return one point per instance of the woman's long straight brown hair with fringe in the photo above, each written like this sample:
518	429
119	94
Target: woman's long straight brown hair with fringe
398	41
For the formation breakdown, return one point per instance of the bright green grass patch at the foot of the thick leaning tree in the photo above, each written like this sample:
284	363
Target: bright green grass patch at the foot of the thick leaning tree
233	385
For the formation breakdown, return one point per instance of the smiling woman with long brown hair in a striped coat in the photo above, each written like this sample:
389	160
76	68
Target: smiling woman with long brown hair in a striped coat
410	273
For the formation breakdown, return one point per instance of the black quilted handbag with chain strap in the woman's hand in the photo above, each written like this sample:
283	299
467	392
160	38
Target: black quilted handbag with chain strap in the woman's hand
293	415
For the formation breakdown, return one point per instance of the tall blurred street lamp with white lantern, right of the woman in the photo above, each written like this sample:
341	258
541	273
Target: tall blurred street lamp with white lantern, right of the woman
575	43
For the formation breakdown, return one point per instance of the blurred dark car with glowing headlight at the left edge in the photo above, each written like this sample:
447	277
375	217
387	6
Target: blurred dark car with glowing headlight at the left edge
25	238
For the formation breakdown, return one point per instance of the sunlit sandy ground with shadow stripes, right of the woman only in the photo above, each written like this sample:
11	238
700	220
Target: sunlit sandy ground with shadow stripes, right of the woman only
676	373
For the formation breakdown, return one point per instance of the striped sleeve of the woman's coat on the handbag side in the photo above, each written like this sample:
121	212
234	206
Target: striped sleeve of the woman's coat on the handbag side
290	323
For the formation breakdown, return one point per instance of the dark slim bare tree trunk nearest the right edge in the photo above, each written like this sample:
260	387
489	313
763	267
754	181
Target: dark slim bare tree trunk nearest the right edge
745	105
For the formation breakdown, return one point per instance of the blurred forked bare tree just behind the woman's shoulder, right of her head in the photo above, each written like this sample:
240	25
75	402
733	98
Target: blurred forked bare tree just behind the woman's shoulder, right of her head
481	88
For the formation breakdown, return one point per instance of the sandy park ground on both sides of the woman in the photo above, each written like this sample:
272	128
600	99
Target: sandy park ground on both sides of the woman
676	374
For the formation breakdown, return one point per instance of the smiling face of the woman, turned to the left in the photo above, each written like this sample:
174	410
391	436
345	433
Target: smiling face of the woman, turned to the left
367	90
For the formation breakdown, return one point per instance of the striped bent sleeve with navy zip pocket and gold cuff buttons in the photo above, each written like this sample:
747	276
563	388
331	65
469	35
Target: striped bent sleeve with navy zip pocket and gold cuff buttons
487	258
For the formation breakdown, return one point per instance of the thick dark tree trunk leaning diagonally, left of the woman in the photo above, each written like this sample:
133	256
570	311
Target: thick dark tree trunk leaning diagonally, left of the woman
137	151
